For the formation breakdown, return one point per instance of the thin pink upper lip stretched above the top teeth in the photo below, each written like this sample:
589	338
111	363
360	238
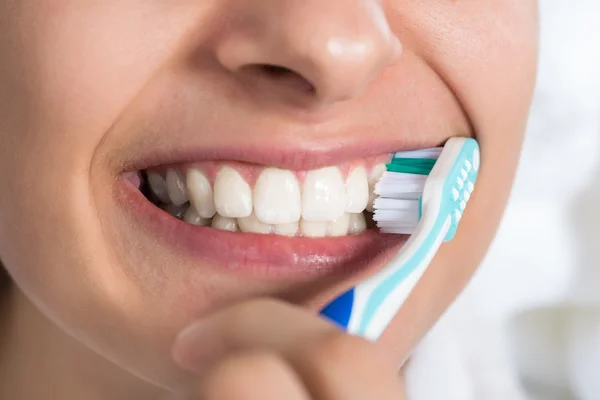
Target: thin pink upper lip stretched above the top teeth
292	156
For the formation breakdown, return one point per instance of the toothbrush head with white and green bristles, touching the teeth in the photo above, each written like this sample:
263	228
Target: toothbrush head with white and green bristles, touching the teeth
441	178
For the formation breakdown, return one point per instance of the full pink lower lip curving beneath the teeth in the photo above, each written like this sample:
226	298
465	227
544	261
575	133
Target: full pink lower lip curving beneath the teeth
266	255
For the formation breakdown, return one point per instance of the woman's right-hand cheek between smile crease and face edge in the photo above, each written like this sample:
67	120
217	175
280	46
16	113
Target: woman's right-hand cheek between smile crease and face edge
486	52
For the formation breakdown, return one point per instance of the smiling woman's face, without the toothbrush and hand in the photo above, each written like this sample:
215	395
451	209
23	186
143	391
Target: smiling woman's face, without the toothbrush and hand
93	91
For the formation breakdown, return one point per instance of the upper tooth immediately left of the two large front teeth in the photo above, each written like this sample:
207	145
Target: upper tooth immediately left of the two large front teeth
233	196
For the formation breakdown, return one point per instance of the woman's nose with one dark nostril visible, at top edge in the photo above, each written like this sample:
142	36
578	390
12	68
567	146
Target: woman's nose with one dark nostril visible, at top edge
327	50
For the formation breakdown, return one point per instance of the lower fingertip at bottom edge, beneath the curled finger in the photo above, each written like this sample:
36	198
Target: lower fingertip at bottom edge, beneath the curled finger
251	375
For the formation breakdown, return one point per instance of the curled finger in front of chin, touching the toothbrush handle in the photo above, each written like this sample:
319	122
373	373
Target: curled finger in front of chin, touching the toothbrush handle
332	365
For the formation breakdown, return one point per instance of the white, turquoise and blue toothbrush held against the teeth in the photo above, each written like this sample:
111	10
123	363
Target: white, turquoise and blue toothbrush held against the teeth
417	195
